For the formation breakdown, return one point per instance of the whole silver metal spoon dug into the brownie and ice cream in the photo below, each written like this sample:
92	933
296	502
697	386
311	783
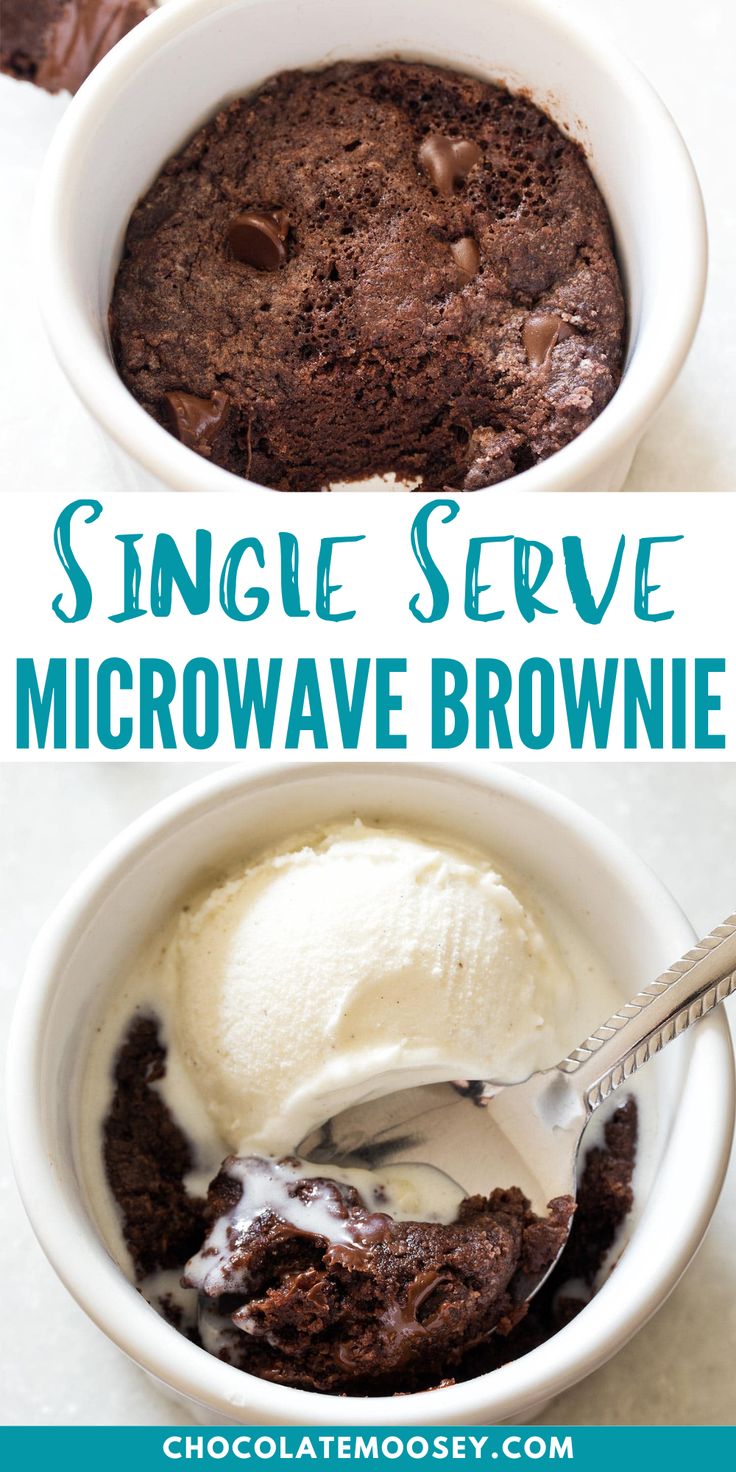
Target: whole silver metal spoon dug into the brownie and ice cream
486	1136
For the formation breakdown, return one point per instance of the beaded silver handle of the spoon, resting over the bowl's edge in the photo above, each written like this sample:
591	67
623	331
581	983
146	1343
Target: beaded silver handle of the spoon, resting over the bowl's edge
662	1012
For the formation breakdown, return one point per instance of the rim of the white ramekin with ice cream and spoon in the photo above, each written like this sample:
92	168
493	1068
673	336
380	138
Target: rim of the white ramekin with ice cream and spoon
83	1264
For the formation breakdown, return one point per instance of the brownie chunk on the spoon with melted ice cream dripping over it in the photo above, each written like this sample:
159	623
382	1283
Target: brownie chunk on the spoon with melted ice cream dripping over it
376	1306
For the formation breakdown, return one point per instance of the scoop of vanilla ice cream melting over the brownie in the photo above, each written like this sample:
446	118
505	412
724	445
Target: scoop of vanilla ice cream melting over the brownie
360	962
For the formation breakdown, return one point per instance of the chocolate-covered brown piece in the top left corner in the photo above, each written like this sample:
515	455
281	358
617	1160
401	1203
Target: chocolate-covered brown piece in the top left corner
57	43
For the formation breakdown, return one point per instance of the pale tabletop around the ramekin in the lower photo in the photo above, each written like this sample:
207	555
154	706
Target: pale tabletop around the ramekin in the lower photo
60	1370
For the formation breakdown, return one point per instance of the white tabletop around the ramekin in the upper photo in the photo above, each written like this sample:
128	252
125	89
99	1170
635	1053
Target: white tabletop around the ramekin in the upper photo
48	442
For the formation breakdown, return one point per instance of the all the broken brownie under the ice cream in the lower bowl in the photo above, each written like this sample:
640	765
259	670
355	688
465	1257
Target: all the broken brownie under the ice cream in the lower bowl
376	1305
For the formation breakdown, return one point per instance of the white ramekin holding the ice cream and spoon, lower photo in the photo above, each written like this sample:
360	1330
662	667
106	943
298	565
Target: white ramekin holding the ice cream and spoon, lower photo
135	884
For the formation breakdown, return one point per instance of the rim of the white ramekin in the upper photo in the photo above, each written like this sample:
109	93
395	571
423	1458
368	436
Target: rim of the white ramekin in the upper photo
86	361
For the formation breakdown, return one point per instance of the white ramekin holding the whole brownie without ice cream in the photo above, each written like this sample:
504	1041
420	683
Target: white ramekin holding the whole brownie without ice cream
173	73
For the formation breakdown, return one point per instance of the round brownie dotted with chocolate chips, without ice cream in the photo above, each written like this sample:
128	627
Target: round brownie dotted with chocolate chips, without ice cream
381	267
